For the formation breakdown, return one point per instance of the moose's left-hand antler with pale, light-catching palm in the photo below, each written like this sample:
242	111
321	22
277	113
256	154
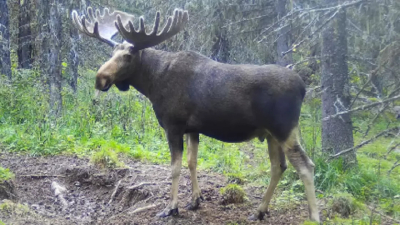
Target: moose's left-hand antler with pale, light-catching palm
100	26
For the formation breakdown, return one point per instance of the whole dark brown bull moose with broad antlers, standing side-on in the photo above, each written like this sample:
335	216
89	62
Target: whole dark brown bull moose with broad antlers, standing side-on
192	94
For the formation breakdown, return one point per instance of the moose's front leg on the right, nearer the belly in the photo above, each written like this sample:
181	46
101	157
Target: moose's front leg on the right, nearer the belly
192	148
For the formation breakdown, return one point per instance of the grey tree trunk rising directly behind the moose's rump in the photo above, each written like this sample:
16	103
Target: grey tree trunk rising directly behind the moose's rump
282	42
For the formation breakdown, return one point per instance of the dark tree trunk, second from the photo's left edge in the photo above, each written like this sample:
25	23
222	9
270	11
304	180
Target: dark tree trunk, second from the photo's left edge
25	47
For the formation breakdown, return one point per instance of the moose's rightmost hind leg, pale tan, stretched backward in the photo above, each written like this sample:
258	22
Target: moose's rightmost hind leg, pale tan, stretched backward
305	169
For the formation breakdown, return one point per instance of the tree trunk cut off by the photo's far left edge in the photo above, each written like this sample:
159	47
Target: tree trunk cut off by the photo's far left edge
5	60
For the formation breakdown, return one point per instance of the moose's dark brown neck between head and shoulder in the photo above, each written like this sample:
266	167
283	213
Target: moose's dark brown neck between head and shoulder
153	64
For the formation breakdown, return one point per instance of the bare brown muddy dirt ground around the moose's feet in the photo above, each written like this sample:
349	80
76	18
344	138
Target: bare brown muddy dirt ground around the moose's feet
132	195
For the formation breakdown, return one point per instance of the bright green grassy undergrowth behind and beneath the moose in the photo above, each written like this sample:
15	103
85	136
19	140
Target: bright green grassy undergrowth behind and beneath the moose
123	124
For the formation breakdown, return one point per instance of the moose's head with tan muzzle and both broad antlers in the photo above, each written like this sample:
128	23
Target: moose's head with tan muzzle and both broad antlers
126	56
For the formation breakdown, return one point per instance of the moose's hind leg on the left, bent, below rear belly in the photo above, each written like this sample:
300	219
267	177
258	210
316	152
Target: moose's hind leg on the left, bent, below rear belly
278	166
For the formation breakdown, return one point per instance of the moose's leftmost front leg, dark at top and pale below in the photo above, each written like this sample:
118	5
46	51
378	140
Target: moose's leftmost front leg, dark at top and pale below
175	142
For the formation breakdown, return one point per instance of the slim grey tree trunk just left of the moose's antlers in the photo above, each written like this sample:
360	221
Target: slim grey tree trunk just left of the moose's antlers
73	57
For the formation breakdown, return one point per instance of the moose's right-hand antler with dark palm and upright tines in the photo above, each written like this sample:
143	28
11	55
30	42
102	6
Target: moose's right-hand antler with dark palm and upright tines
140	39
